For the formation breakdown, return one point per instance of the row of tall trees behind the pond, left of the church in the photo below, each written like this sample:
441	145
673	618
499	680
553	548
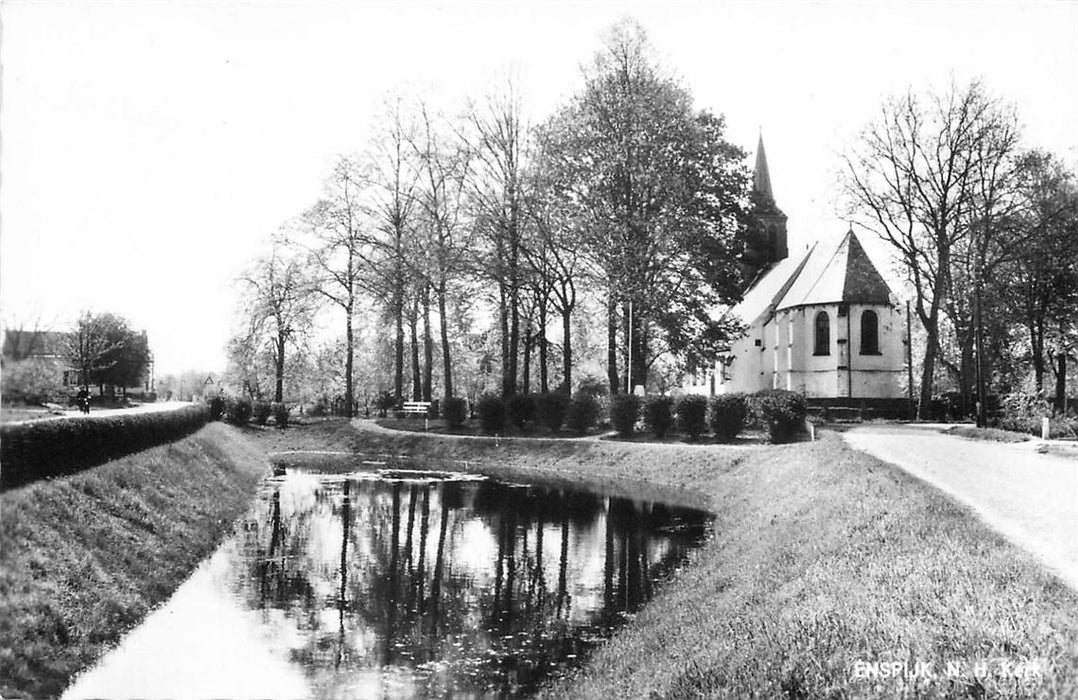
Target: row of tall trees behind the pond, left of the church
627	200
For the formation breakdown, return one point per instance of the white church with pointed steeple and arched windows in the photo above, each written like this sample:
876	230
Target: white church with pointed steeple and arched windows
823	323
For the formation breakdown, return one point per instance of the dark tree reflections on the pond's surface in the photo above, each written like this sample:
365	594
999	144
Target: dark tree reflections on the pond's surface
412	586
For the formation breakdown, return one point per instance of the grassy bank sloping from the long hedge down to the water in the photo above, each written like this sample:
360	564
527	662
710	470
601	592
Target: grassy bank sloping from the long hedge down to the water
86	557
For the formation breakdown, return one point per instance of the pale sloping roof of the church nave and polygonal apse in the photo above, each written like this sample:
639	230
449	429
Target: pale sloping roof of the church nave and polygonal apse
845	274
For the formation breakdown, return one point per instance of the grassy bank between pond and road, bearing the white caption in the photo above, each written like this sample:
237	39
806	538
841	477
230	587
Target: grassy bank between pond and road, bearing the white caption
822	558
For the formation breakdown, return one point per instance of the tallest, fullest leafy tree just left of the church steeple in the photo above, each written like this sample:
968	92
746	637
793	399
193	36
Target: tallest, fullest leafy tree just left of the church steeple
655	186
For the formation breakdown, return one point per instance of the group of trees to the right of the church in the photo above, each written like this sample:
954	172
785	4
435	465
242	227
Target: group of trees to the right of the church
987	231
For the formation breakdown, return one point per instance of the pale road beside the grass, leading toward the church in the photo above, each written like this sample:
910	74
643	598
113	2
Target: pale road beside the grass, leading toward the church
1031	499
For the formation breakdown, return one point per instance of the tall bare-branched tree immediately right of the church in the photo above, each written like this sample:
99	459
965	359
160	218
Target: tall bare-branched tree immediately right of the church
910	180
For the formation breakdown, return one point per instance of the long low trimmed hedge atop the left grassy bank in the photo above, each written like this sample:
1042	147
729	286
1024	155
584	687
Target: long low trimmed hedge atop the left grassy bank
61	447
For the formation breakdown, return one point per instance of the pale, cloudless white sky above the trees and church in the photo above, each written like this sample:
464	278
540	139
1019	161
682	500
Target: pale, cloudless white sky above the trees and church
149	149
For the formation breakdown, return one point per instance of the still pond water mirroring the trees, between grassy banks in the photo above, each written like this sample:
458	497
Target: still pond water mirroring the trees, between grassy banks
390	582
